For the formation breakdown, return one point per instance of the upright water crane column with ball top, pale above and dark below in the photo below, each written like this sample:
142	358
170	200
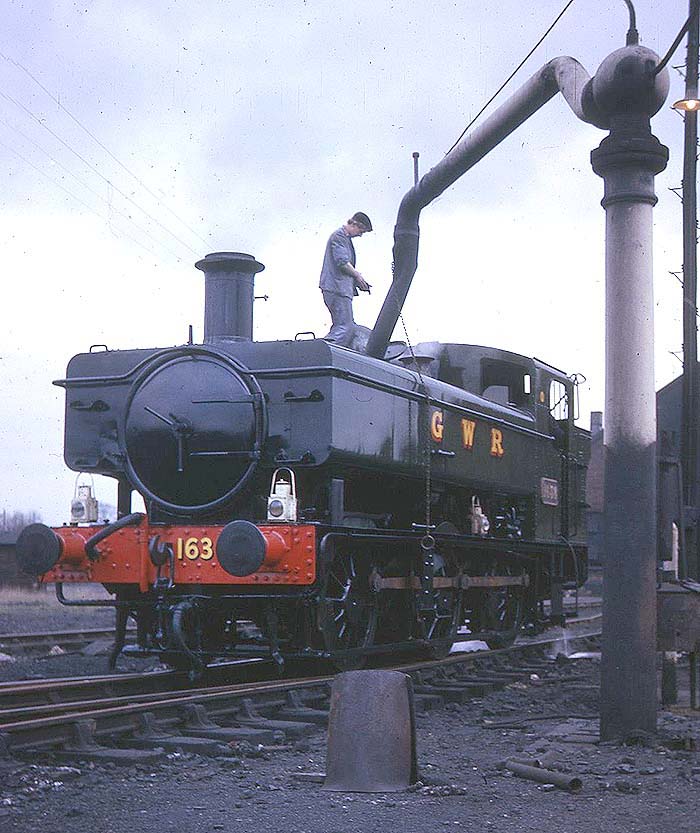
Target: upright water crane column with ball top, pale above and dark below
626	89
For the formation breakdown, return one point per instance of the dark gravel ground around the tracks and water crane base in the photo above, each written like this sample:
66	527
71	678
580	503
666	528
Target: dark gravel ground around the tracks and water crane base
463	786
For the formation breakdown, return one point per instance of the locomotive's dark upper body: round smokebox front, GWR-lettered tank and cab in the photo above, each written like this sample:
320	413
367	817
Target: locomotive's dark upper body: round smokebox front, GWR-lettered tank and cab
188	426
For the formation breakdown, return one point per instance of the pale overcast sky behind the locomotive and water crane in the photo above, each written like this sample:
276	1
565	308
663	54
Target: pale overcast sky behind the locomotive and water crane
135	137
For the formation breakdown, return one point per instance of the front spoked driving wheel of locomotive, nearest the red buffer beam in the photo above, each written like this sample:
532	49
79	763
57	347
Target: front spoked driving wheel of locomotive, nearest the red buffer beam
347	610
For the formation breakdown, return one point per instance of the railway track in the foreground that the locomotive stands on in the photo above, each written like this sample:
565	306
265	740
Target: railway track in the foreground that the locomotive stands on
139	716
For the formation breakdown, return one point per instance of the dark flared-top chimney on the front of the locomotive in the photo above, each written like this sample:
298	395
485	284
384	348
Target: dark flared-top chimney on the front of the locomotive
228	295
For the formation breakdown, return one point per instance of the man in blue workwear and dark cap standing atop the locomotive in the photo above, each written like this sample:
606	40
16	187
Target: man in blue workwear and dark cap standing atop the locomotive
340	281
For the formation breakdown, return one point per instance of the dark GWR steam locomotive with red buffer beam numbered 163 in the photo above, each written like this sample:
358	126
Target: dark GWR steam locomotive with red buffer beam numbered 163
342	503
